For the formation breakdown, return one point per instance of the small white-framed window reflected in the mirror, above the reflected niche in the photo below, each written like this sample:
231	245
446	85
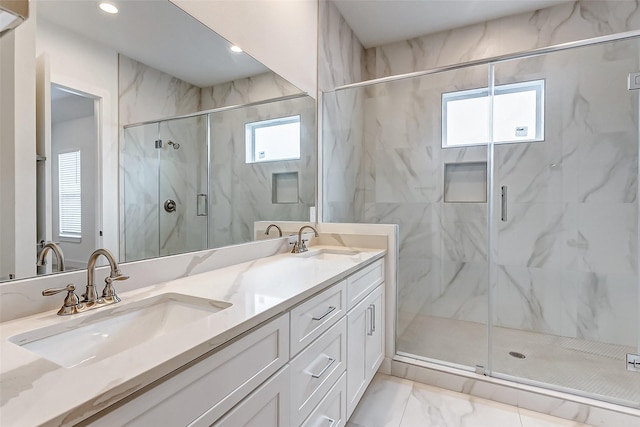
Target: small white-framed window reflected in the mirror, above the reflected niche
273	140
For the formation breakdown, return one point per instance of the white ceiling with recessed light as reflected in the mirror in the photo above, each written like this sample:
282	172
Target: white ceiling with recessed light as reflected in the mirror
158	34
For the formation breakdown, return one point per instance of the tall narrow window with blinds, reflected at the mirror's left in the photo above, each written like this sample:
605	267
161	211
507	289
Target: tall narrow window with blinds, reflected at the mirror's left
69	194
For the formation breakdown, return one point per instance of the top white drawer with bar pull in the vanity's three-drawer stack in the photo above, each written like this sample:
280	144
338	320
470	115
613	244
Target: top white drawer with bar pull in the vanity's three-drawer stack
314	316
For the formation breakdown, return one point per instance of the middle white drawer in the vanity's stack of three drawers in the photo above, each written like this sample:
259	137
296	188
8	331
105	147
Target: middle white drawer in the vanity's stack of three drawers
316	369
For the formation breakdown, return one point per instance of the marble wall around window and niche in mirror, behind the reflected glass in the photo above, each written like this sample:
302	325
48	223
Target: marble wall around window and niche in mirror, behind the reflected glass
241	193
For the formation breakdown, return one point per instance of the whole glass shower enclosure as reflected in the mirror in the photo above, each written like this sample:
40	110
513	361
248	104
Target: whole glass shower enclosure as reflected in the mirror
187	184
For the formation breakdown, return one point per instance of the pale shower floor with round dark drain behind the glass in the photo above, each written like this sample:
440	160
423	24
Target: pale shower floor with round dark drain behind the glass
590	367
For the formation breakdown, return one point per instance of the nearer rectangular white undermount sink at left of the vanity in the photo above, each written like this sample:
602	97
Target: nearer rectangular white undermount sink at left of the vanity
106	333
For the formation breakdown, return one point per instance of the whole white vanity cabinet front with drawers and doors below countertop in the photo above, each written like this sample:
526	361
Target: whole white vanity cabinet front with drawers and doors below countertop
307	367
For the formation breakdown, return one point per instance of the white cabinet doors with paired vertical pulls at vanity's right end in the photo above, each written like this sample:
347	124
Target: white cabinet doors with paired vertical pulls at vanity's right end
364	346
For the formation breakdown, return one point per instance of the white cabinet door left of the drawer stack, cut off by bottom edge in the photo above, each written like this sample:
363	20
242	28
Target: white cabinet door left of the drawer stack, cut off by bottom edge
268	406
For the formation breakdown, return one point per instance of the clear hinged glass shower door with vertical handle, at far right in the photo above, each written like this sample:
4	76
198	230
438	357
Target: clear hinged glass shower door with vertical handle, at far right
565	270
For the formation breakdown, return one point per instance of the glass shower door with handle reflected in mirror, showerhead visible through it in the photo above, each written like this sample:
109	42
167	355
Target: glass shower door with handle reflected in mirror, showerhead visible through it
183	190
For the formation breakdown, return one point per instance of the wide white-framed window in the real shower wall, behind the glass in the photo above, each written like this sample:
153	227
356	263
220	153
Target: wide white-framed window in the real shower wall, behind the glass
518	115
